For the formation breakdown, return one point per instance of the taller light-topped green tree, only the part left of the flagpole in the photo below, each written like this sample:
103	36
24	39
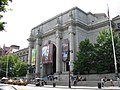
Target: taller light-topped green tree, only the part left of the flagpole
104	55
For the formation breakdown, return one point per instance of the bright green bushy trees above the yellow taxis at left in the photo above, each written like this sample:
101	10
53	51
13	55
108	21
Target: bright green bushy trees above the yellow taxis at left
15	66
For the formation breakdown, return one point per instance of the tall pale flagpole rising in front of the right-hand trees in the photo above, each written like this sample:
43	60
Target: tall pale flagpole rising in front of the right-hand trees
113	45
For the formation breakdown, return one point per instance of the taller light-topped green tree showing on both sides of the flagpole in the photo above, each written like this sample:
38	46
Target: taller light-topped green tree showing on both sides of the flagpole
105	58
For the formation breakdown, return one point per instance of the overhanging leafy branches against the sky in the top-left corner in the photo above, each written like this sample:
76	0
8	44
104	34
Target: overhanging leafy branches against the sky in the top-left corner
3	9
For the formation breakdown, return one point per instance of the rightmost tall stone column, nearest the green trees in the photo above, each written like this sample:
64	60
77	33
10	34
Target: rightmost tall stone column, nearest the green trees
71	30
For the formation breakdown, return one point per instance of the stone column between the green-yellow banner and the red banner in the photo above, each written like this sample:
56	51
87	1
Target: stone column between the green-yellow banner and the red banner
38	53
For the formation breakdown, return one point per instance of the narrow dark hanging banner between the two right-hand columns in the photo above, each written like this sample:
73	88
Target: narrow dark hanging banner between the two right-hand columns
65	49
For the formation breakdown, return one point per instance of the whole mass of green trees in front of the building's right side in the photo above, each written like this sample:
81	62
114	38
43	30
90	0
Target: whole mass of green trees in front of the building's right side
98	57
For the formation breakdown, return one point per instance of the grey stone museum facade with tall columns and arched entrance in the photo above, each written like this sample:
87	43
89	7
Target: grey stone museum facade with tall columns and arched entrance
74	25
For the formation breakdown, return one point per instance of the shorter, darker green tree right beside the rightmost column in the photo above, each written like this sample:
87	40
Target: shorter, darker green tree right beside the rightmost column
84	57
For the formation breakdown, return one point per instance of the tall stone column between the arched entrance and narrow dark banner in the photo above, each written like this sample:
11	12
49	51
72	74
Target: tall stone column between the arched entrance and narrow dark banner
58	47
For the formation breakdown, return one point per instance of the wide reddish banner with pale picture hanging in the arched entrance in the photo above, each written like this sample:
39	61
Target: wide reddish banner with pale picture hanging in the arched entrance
47	53
